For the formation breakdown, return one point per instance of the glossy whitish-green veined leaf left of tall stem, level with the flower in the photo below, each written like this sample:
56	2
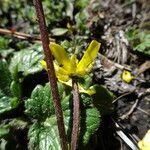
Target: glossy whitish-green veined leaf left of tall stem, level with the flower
26	62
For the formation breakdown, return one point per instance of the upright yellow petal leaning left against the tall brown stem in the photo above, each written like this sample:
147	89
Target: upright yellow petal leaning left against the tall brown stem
60	56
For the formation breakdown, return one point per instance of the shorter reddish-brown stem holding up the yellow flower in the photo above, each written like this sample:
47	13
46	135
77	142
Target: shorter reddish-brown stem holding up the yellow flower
76	116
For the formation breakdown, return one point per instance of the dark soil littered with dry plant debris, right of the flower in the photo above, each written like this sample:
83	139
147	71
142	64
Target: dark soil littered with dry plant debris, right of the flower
132	106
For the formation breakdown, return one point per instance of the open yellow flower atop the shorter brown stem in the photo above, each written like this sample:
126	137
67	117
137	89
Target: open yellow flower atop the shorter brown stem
67	67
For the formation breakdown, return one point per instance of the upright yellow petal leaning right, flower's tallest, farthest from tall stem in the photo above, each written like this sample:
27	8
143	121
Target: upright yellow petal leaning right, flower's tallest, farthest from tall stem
88	57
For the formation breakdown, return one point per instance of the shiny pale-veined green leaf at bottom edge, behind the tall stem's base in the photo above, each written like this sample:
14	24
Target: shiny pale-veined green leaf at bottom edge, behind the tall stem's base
45	136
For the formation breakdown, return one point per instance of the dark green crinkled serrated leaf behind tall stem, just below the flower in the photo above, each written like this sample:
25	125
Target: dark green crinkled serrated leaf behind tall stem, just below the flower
40	105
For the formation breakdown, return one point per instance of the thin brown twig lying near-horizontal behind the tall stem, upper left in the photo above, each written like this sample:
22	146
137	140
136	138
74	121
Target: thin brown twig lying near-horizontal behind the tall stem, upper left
21	35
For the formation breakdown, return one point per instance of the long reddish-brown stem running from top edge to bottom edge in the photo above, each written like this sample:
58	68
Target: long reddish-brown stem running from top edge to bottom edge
51	73
